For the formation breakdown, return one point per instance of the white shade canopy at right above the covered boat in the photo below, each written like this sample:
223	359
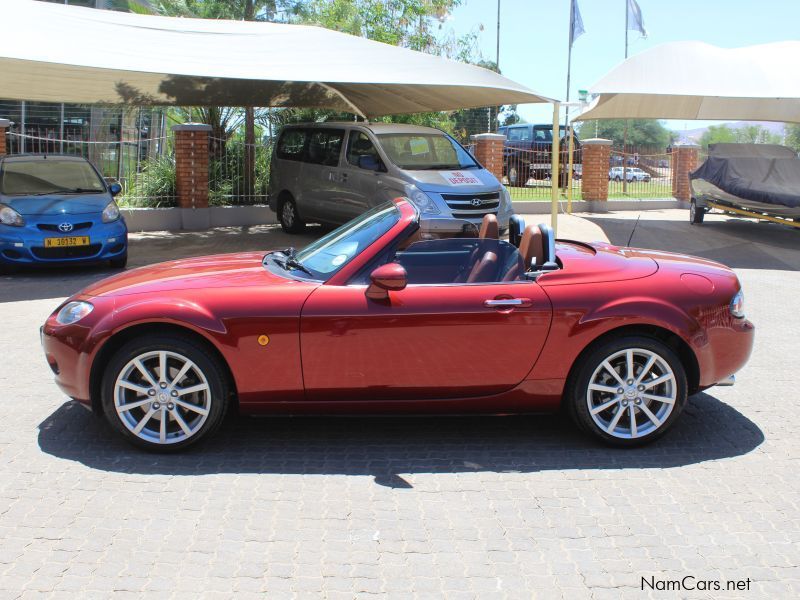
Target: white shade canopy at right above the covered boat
694	80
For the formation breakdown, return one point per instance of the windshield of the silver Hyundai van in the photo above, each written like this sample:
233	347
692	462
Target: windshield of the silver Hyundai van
425	151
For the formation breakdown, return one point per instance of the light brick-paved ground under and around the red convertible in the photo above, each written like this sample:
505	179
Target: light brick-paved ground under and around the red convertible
512	507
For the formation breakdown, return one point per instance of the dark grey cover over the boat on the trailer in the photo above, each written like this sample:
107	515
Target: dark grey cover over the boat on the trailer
758	172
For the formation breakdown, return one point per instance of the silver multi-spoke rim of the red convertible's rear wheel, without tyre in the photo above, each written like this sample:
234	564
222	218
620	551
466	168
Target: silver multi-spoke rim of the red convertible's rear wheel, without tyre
631	393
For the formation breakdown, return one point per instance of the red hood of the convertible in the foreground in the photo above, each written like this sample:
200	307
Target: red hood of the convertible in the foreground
223	270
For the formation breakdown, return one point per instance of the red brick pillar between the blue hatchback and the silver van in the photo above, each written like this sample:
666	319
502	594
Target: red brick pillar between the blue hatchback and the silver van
191	164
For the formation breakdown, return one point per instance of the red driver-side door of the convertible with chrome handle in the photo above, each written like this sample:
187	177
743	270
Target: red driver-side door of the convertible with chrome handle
428	341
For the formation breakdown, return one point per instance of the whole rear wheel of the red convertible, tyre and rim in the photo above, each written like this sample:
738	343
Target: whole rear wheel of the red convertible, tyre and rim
628	391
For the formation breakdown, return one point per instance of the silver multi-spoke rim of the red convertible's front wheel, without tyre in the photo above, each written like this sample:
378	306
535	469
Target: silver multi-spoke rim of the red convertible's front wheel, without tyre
162	397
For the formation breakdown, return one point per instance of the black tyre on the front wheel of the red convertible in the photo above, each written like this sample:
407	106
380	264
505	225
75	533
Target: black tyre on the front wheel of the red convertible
209	366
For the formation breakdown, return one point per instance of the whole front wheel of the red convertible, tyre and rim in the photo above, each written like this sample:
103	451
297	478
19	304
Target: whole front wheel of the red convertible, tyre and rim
164	393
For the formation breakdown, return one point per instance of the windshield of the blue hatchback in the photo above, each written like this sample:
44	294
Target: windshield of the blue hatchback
49	176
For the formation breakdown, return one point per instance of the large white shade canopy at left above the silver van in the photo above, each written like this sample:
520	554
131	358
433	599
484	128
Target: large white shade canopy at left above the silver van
56	53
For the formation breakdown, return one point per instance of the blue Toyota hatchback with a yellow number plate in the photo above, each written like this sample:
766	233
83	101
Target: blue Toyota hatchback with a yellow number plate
57	209
